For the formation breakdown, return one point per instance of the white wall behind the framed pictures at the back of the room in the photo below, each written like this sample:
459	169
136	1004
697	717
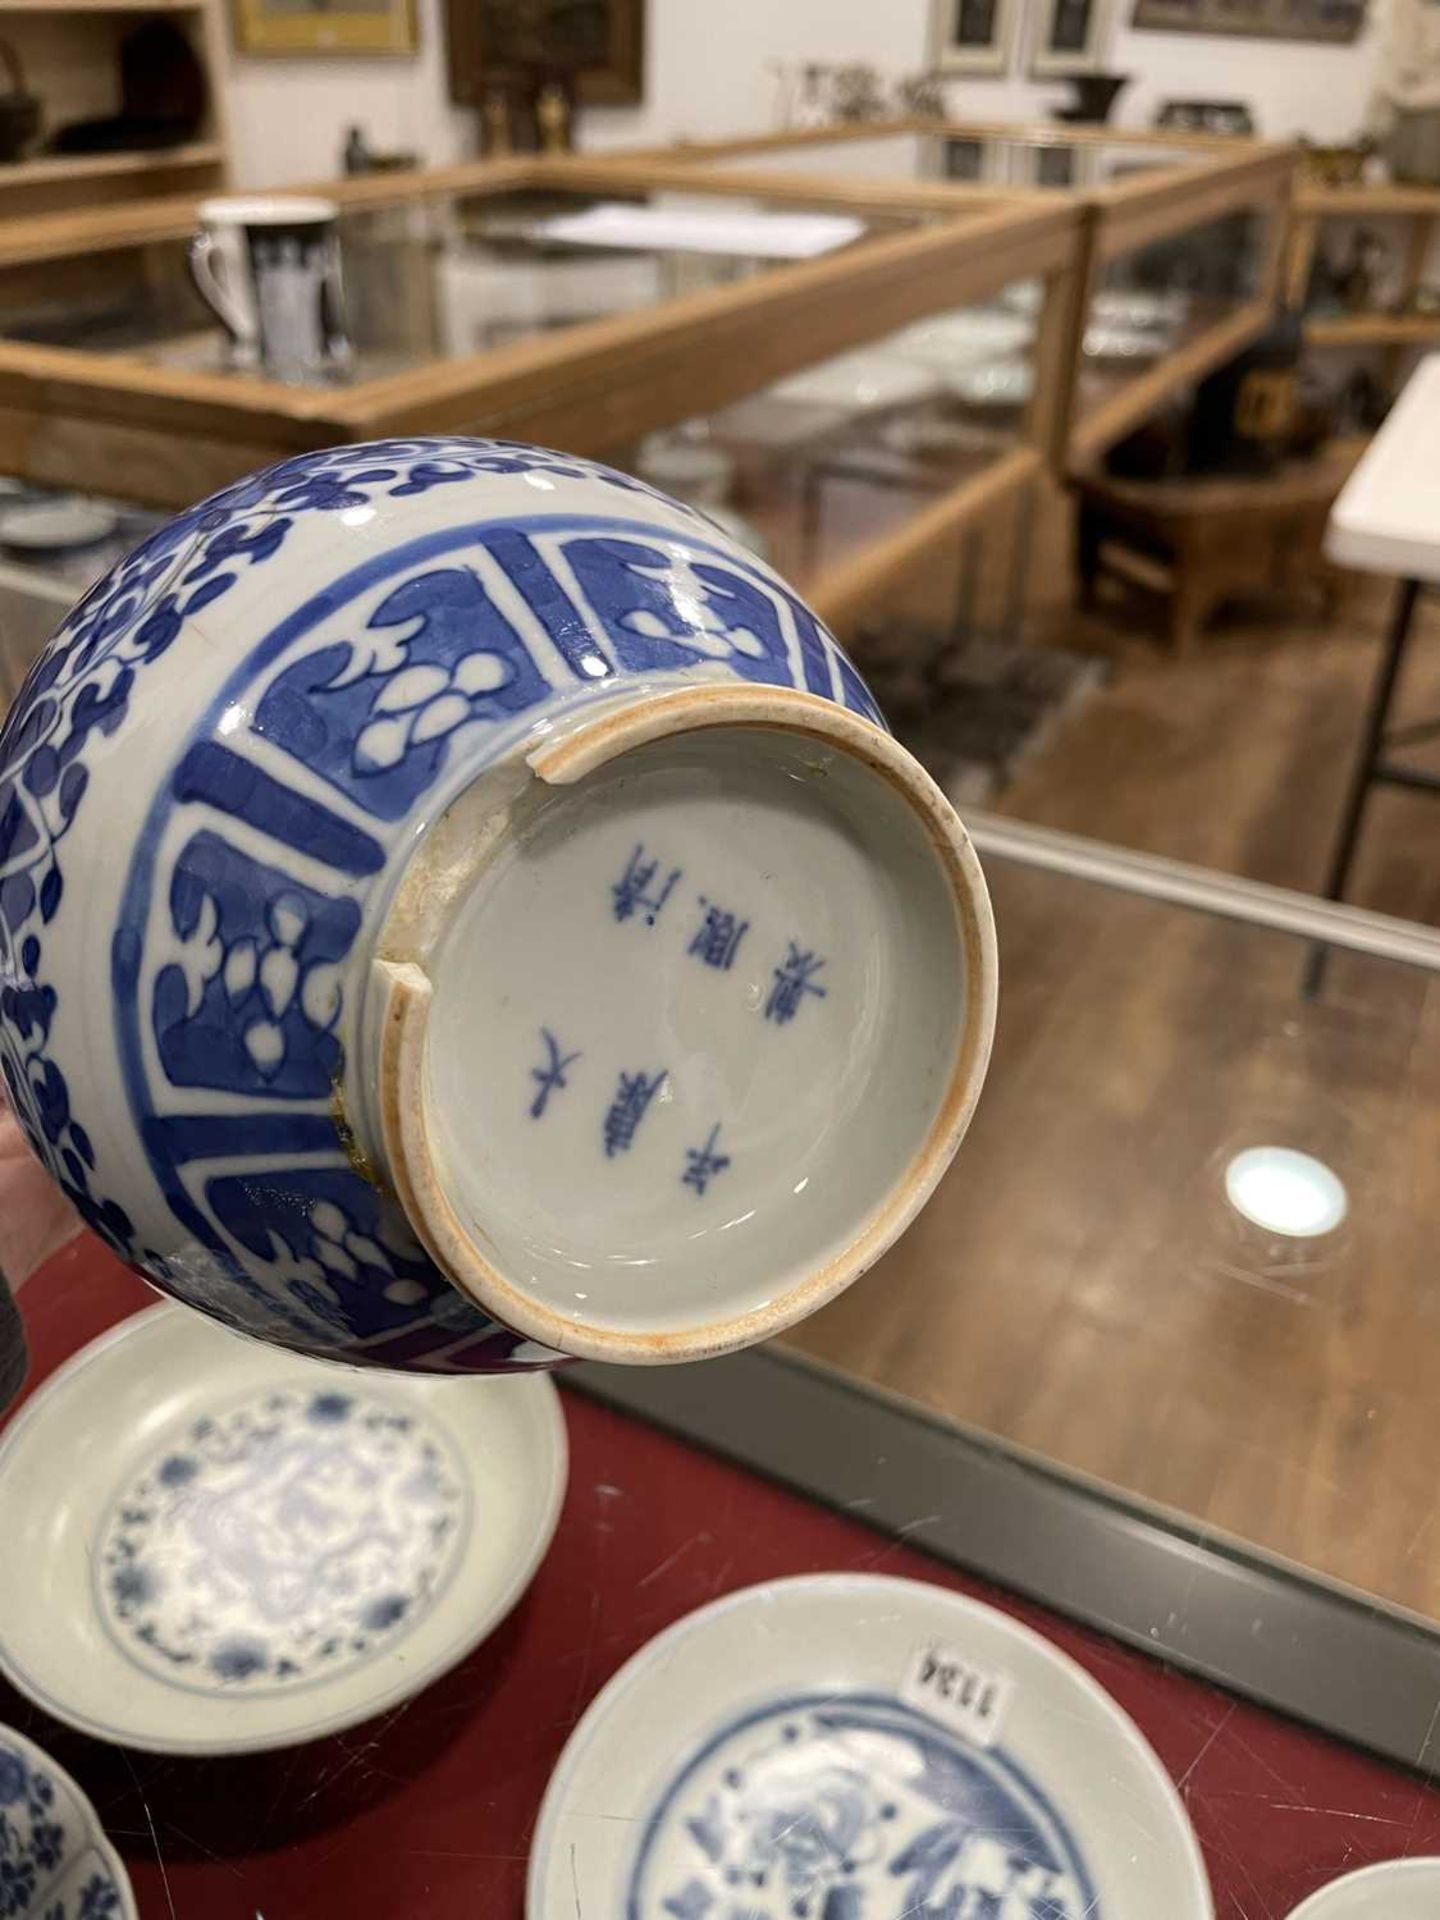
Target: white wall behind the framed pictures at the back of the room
711	76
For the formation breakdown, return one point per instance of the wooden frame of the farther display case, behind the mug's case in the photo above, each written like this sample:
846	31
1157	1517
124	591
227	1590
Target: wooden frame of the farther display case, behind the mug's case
1228	176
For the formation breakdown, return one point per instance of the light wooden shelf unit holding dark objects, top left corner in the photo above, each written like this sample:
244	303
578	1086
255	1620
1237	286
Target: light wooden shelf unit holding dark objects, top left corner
70	55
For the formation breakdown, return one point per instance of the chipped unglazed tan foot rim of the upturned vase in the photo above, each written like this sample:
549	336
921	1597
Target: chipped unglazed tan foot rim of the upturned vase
412	1157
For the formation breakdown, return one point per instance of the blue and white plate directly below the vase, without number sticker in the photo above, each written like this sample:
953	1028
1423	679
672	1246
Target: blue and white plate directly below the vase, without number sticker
229	1548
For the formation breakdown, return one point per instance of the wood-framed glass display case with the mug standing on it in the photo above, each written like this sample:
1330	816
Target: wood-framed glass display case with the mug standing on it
857	385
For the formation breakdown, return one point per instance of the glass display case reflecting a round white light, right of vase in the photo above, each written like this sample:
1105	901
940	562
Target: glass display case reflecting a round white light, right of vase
1161	1349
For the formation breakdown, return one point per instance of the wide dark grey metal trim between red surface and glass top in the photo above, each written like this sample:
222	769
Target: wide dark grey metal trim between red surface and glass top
1222	1612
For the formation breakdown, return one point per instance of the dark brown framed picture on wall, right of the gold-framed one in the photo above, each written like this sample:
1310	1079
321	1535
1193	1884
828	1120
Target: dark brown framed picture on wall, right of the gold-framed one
594	47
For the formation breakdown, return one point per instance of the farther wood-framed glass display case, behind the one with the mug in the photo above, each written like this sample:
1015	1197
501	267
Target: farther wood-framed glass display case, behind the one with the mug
1184	235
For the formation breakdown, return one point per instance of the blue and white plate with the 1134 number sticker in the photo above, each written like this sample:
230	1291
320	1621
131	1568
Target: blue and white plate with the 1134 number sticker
855	1748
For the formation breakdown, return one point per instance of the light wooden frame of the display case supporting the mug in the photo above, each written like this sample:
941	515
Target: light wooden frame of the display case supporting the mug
168	437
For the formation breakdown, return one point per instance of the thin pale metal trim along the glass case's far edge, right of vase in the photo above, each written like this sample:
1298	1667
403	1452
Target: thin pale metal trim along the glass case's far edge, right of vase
1251	901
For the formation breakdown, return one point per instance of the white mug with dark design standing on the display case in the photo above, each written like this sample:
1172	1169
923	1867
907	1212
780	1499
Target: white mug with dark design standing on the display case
270	270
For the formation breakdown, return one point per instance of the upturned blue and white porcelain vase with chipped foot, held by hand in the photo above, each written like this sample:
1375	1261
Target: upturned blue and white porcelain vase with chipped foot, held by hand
458	911
